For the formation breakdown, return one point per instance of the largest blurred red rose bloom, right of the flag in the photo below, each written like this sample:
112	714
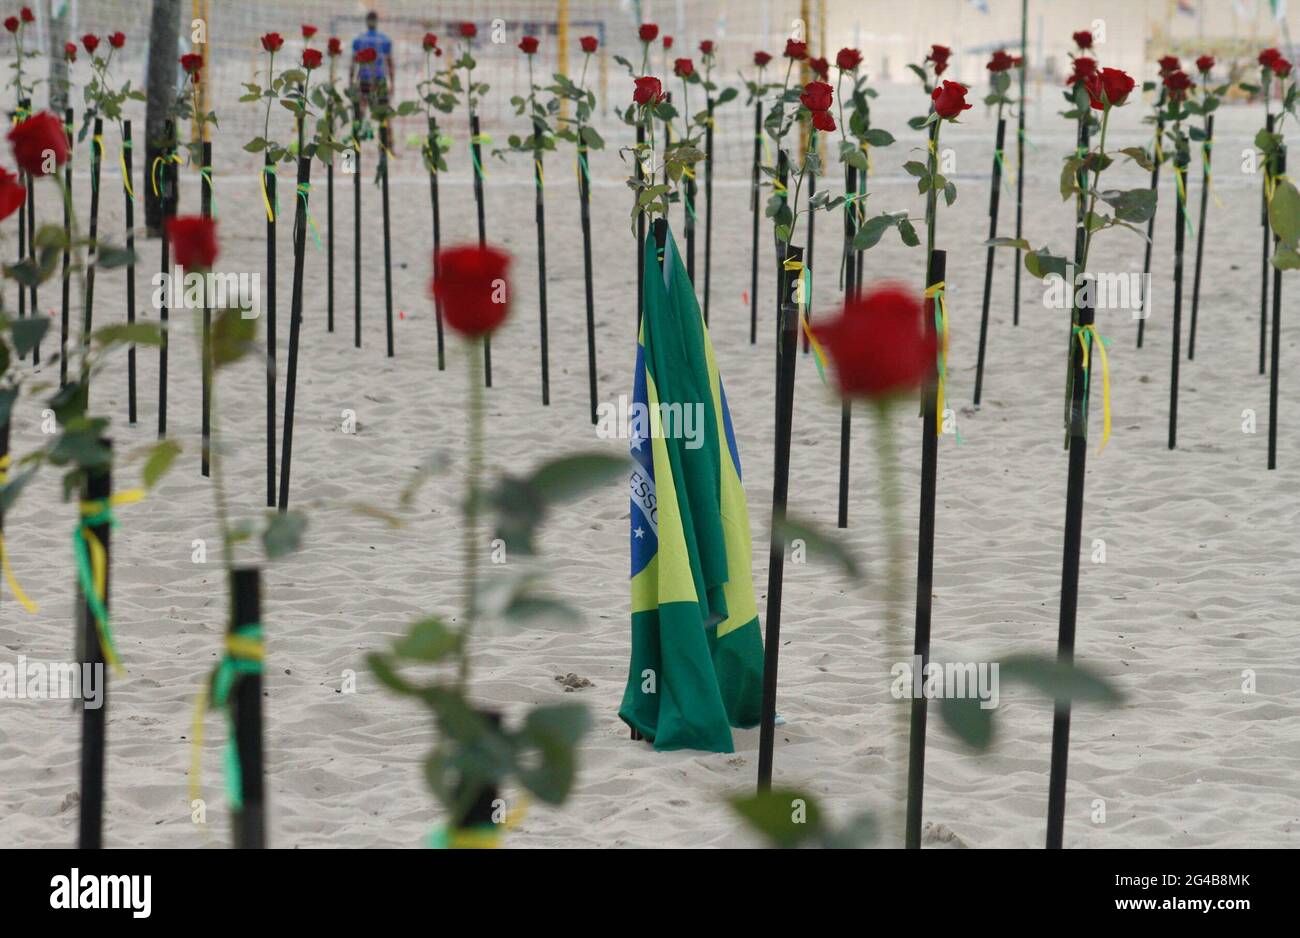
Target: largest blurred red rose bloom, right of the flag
879	344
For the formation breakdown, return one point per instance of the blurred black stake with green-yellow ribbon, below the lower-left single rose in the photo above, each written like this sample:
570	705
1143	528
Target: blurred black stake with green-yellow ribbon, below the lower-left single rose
245	702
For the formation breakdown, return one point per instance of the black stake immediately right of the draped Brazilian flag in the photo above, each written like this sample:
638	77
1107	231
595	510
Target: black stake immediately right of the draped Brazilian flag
788	353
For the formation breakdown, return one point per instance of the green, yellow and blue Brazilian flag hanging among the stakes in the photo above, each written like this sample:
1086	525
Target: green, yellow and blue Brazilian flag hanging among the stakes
697	653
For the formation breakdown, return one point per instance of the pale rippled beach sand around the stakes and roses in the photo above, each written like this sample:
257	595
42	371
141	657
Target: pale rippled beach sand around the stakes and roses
1199	585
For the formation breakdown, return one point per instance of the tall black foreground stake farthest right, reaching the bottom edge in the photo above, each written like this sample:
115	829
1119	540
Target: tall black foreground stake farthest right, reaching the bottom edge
1078	449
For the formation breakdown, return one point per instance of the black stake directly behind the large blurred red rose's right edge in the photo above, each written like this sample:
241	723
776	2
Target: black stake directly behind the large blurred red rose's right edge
925	566
